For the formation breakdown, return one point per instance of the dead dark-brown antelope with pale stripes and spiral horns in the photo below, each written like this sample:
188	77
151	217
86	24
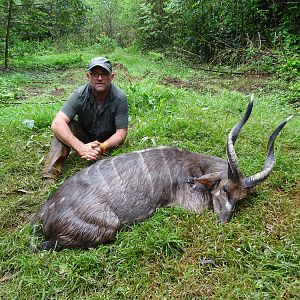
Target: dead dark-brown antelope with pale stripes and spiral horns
91	206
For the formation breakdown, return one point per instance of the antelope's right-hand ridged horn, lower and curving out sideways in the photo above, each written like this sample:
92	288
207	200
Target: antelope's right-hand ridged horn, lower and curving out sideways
254	180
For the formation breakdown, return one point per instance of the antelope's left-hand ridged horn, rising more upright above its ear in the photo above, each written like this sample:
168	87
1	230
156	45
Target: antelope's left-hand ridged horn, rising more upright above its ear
234	172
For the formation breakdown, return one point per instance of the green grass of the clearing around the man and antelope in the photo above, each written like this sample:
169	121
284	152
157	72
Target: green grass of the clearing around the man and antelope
175	254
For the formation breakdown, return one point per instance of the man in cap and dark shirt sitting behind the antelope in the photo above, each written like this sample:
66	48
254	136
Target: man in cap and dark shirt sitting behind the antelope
102	112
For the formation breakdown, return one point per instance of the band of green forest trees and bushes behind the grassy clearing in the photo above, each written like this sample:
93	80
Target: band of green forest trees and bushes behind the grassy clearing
231	31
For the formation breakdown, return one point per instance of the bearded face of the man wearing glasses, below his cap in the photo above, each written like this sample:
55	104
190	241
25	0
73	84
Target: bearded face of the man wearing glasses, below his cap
100	79
